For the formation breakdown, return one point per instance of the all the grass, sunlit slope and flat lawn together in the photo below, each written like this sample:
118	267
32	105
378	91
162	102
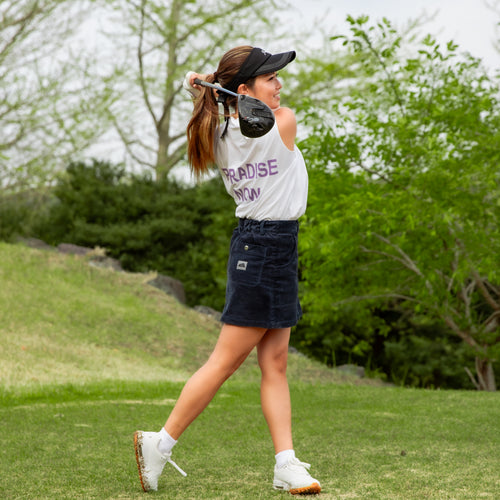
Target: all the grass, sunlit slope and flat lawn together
87	356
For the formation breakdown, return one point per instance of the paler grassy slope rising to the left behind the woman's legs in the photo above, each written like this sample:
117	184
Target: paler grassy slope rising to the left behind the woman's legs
64	321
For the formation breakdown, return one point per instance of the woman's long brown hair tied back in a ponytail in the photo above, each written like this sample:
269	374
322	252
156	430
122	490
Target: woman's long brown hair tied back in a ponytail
205	119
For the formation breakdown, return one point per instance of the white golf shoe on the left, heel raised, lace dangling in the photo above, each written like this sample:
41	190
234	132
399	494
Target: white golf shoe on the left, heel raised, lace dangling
150	461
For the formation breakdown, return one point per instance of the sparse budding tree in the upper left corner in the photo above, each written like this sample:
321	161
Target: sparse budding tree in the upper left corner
46	101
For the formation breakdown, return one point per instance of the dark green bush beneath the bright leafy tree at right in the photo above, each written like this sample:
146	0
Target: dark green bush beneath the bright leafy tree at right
393	343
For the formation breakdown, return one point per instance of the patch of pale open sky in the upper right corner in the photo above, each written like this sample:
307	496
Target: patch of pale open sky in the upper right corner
469	23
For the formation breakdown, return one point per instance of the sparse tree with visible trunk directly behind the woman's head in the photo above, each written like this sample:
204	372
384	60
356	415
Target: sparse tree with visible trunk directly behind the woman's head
166	39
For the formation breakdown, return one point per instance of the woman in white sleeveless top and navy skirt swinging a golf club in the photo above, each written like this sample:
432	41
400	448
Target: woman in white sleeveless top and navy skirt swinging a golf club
267	178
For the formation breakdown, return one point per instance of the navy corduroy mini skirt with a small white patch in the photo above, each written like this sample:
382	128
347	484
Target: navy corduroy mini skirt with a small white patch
262	275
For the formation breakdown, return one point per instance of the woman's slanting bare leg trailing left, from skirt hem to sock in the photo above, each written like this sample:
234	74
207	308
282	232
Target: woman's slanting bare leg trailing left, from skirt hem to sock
233	346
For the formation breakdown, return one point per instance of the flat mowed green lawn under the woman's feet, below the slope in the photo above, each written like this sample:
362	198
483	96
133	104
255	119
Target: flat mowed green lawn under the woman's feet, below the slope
363	442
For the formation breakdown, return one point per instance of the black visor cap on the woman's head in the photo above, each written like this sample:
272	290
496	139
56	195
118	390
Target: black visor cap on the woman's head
260	62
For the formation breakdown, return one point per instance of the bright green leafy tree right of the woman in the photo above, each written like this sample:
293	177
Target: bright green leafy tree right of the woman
405	199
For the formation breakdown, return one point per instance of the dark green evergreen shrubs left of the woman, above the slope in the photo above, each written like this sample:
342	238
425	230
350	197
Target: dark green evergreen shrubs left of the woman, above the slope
147	225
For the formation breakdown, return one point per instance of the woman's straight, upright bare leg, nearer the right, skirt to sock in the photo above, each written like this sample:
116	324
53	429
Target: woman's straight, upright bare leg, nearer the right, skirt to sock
275	395
